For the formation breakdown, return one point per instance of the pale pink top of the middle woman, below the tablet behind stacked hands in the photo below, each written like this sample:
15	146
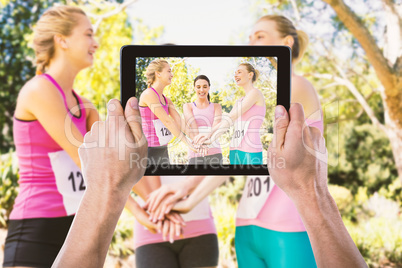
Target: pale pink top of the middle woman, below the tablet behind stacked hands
200	222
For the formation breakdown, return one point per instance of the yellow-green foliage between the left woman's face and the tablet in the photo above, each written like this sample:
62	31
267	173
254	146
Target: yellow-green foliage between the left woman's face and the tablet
101	82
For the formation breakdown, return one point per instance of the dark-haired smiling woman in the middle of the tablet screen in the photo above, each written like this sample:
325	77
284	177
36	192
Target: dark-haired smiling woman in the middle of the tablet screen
200	117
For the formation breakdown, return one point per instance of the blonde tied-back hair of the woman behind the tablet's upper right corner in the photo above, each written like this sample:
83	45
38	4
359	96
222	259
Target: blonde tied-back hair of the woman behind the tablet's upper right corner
285	27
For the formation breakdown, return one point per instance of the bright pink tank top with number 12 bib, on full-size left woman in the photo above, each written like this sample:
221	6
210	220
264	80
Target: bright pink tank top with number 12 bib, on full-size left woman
41	159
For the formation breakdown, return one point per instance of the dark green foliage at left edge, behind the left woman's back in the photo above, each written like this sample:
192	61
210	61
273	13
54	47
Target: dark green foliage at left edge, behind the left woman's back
16	21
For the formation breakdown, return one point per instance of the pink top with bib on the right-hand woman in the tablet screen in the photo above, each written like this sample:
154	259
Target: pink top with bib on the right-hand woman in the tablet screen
248	137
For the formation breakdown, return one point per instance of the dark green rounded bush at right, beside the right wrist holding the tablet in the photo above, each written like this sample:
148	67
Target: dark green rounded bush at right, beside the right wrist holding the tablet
367	160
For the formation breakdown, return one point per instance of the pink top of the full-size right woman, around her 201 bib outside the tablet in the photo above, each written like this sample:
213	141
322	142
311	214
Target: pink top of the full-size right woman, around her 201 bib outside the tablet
279	213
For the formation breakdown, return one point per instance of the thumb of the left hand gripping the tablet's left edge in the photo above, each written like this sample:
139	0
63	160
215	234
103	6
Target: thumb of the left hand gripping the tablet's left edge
133	118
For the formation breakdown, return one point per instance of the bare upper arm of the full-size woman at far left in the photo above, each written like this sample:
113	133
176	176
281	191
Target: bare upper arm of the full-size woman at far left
51	114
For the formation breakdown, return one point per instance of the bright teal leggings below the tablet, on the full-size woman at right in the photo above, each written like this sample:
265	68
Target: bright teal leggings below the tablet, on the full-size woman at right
258	247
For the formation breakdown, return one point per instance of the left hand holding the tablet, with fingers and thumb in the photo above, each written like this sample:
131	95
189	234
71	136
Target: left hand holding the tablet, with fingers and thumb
116	142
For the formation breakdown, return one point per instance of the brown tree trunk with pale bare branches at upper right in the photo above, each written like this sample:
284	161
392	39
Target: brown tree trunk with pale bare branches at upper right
387	65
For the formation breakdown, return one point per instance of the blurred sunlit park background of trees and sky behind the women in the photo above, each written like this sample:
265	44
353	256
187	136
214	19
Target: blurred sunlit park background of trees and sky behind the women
353	60
